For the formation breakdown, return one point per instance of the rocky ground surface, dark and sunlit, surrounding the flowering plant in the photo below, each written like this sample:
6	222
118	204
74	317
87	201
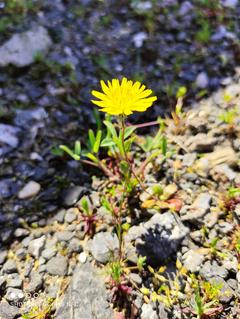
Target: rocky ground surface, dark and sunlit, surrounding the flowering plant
52	55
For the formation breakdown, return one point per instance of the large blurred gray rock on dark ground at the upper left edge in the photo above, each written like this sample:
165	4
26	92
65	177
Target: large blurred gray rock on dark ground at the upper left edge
21	49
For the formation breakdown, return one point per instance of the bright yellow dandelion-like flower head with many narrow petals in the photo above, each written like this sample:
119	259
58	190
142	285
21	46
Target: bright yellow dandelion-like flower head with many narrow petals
123	98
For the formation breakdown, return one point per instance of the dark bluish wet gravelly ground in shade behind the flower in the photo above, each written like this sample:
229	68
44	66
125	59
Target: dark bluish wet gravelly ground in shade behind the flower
165	44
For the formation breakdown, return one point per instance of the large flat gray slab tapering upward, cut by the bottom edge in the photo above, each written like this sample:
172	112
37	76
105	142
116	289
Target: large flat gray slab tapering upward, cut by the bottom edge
86	297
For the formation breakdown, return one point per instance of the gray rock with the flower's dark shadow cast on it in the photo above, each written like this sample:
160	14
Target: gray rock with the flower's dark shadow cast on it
159	238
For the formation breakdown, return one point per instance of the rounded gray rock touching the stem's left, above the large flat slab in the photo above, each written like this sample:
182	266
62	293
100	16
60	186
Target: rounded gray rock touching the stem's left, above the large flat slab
103	246
